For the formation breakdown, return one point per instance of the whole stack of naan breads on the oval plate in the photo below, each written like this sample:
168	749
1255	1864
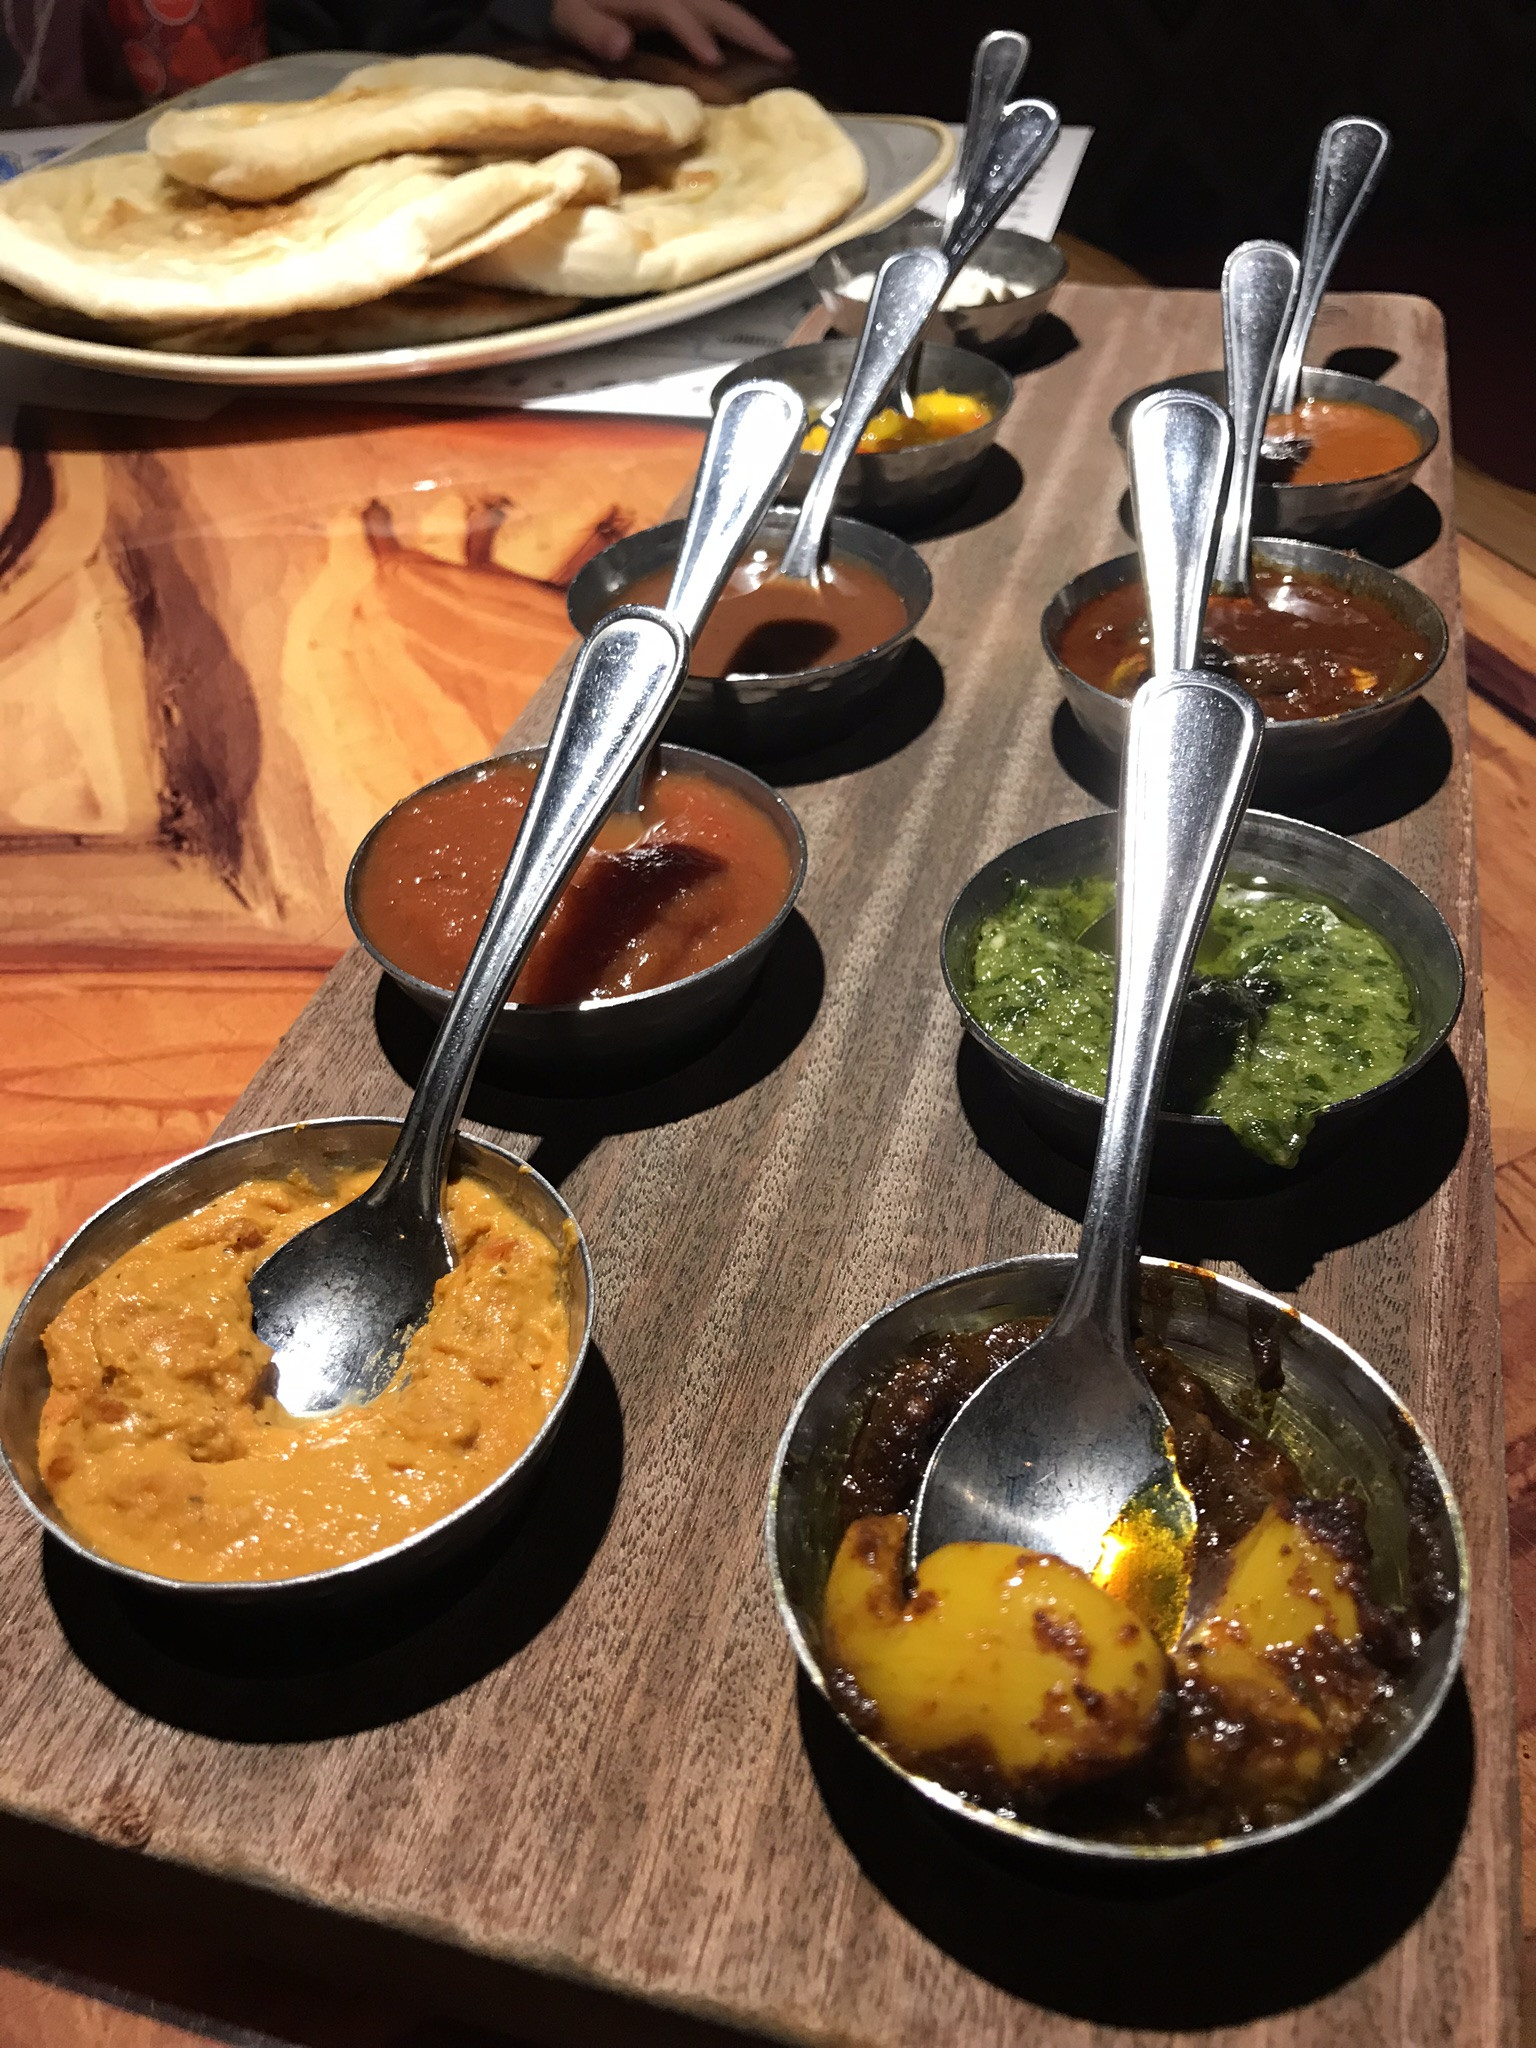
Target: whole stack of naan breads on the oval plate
425	200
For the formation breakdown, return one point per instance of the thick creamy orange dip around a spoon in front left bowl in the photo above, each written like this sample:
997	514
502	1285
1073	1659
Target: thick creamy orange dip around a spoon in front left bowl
161	1441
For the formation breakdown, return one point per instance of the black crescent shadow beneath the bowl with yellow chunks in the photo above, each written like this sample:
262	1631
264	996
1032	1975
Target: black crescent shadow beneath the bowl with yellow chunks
1207	1947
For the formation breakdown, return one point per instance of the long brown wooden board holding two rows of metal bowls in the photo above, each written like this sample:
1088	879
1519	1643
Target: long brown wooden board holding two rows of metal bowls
579	1781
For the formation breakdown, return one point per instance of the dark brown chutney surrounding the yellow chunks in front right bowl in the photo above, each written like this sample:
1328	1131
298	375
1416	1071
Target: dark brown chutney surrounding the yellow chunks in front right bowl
1211	1773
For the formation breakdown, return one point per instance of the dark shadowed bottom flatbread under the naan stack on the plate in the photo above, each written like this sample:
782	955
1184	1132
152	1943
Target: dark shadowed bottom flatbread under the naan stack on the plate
439	310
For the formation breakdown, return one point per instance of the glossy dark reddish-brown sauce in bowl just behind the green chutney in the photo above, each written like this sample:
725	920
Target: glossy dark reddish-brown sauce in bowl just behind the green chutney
1302	644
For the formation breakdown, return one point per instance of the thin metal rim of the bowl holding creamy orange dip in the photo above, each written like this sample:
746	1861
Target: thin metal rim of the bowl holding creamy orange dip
351	1568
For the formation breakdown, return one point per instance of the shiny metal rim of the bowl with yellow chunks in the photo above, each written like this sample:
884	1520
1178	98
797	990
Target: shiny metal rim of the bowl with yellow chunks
1121	1852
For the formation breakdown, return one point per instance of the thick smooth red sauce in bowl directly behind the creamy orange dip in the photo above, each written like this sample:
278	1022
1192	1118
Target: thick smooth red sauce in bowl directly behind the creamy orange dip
687	884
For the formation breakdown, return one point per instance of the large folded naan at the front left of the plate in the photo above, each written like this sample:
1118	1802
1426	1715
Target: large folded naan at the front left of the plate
118	239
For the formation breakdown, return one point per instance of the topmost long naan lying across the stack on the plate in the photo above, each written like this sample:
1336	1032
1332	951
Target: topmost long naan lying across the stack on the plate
476	105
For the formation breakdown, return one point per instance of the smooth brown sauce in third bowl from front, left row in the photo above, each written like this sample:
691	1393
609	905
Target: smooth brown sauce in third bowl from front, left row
771	626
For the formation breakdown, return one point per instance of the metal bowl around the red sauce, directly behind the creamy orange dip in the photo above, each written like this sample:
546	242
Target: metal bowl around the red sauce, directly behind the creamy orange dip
620	1033
